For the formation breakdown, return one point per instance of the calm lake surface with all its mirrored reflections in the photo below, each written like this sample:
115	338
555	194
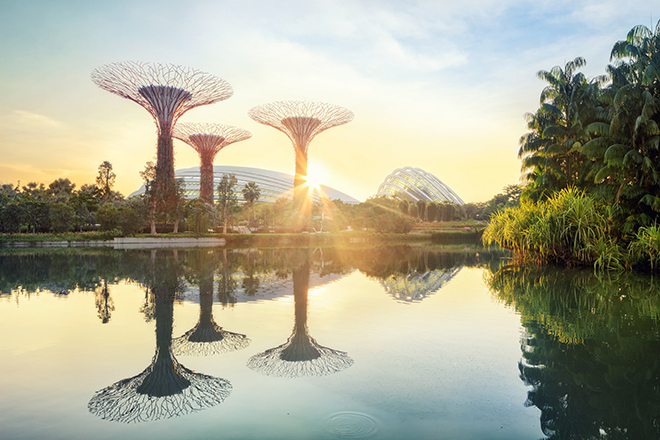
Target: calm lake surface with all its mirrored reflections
382	343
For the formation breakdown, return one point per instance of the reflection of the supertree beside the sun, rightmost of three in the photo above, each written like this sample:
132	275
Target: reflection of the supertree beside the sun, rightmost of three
301	355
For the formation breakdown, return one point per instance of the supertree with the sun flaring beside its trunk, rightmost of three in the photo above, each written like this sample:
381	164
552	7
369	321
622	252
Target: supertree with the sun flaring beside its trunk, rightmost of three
301	121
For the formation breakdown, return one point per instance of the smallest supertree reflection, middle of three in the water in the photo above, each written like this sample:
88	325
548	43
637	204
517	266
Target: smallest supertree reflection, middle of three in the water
208	338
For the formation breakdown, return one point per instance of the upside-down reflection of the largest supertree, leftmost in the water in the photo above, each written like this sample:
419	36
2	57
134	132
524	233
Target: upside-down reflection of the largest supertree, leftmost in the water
166	388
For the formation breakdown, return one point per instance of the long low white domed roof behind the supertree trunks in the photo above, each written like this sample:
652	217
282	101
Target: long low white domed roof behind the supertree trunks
272	184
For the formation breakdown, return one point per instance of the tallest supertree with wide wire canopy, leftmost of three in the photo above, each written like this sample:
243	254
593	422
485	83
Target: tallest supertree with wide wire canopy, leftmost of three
166	91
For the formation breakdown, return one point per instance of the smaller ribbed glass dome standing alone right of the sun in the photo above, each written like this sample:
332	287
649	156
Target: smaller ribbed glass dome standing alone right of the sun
416	184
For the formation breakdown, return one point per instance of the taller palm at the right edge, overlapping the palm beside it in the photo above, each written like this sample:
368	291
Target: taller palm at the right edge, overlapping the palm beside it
626	145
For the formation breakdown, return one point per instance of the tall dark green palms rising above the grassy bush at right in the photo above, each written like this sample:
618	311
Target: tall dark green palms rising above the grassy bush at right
601	135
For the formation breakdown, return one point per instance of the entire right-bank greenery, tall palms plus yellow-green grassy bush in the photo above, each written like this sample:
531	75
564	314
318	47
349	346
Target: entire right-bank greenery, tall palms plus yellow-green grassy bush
591	164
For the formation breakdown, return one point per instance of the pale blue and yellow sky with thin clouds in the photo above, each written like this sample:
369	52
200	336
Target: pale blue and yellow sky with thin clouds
438	85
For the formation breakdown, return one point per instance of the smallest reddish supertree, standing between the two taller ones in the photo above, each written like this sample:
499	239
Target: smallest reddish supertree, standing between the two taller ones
208	140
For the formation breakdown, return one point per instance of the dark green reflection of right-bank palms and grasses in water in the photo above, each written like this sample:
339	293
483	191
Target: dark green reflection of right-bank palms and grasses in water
590	351
